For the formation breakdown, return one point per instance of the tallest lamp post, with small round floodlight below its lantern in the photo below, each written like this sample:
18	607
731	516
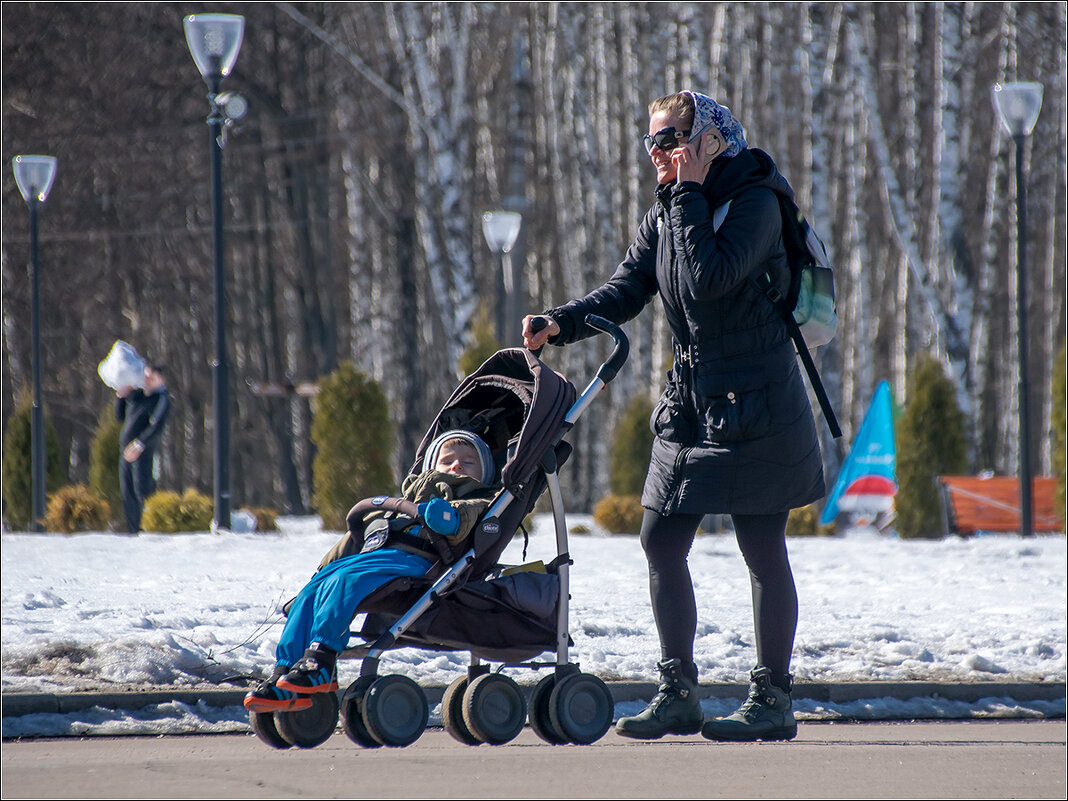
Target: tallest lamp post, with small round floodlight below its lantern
214	41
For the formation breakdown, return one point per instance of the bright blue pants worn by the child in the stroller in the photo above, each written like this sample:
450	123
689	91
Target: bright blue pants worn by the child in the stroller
323	611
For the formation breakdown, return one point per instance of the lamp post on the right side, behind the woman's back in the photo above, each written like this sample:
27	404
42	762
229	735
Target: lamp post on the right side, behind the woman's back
1018	106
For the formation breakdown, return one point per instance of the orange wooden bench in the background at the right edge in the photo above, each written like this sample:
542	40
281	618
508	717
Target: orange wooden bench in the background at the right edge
972	504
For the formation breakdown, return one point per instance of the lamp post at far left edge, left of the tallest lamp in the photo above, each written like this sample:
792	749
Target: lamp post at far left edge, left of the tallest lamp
35	176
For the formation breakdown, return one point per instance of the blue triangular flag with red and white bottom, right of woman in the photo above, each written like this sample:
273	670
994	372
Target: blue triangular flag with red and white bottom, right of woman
868	479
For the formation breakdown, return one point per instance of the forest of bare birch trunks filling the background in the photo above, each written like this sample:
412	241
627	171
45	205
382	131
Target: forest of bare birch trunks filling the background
380	133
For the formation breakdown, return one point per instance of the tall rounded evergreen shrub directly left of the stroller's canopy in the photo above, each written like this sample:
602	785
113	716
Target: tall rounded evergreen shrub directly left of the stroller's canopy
354	439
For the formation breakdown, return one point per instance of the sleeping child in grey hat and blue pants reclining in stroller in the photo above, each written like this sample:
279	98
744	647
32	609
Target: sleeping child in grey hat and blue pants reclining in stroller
451	493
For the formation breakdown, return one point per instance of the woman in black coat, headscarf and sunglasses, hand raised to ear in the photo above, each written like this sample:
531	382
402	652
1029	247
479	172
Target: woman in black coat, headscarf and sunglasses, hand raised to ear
734	430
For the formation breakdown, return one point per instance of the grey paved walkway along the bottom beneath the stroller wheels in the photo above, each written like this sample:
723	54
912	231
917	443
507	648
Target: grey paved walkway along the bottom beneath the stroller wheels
932	761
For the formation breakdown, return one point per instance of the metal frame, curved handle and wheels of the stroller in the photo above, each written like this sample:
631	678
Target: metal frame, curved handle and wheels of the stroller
482	706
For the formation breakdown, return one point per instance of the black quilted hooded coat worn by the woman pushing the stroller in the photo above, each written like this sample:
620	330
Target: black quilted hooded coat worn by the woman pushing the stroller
734	430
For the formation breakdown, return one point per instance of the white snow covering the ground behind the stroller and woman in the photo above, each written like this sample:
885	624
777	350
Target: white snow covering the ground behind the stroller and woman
115	612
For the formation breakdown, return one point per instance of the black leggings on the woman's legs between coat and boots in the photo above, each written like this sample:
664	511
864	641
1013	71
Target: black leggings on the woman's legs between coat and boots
762	540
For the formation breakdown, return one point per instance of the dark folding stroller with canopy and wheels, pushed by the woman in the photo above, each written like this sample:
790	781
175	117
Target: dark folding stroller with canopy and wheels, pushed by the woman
468	602
